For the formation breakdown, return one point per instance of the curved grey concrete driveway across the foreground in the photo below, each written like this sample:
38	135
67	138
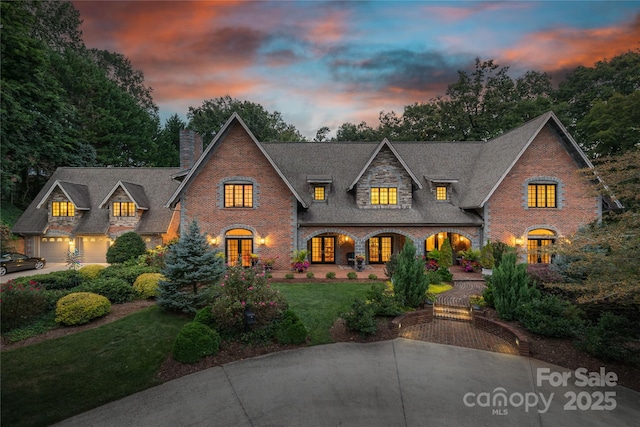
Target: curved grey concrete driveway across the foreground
391	383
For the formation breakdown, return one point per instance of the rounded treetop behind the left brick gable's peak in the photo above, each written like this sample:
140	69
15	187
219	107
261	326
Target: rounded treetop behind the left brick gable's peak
265	126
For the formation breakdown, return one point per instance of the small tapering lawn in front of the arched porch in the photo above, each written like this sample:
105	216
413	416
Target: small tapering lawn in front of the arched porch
319	304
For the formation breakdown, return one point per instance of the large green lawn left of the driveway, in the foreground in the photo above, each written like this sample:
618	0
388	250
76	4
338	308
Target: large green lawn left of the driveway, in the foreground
53	380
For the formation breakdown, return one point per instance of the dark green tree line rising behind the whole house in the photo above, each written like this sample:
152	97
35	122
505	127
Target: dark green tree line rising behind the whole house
63	104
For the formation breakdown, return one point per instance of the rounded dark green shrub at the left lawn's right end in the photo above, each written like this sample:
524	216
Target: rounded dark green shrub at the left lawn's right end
195	341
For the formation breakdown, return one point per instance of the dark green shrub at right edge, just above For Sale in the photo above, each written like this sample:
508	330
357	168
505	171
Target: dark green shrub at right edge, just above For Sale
609	339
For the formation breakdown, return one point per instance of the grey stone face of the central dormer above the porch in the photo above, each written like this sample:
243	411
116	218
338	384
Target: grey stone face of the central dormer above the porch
384	171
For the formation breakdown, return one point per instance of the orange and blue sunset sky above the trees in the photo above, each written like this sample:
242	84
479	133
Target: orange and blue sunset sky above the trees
326	63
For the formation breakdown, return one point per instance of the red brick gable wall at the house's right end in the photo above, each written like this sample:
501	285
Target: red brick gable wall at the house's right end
546	156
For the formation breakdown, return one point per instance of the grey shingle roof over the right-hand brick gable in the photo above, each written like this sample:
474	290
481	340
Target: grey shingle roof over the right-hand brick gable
500	154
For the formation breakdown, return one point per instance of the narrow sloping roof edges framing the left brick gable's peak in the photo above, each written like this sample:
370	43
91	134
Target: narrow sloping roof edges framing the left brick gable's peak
220	136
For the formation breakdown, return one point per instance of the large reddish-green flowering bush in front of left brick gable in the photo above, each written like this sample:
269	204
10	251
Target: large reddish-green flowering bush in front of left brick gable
242	289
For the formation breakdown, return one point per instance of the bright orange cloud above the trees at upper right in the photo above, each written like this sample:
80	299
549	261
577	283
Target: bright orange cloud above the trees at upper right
564	48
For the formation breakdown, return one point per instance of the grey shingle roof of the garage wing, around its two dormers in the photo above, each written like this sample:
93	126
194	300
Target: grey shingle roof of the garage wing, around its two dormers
156	184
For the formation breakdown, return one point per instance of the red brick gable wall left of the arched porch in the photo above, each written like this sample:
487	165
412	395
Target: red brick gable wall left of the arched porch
272	217
